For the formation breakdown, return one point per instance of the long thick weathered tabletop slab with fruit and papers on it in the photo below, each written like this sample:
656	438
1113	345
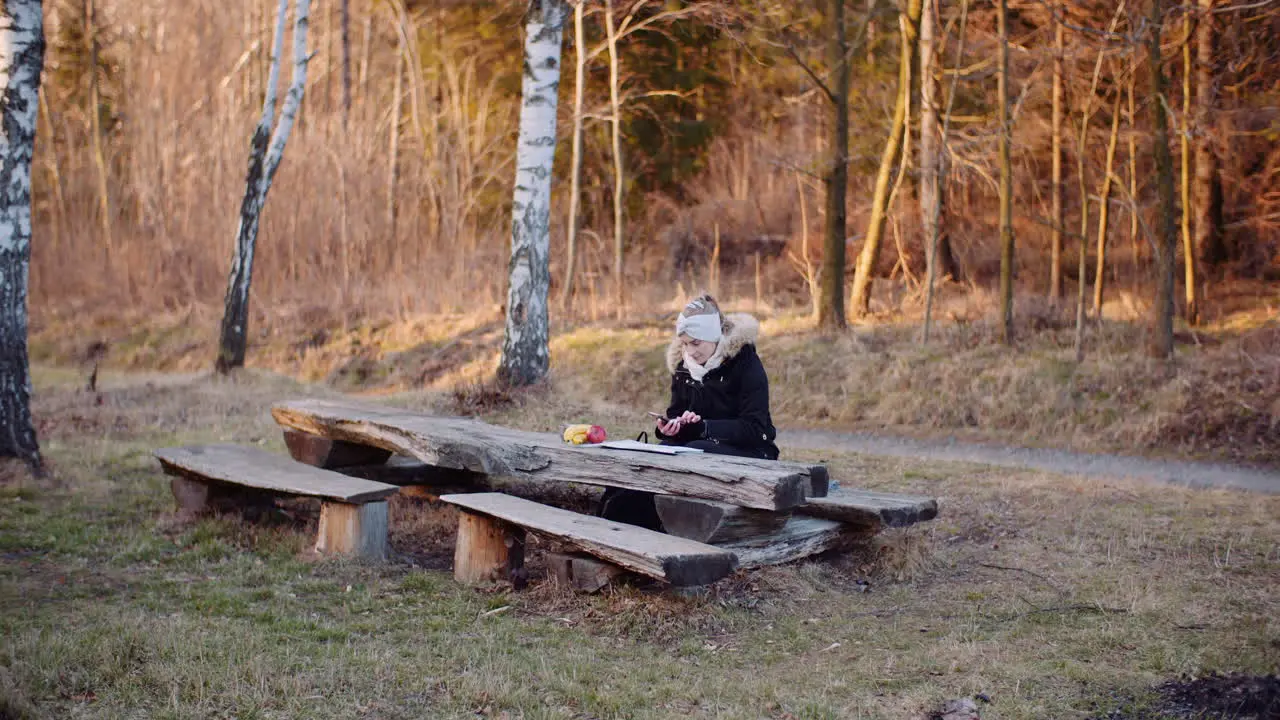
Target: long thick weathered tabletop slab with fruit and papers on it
472	445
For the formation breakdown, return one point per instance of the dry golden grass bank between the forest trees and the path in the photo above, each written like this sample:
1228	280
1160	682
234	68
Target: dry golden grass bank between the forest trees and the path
1215	400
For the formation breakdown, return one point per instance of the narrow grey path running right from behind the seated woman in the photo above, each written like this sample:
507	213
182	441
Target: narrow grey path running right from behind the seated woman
1174	472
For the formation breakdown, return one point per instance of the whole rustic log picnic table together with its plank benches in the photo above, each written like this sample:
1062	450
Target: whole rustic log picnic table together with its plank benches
720	513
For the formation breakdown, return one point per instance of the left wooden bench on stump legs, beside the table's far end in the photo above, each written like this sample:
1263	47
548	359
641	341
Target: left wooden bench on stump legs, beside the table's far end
353	513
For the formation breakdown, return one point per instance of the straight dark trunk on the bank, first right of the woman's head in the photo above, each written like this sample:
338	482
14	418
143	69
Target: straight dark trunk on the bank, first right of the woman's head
831	309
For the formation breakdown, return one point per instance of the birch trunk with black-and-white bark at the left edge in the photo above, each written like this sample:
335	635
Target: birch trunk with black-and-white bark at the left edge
22	57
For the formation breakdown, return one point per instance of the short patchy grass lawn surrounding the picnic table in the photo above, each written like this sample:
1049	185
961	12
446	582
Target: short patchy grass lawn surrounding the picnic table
1054	598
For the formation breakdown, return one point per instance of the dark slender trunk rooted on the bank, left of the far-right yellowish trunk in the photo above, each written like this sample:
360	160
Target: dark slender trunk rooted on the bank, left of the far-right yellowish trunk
1167	235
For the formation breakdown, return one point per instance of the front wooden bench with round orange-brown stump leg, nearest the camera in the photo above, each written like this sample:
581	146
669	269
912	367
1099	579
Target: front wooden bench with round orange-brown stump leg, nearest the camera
491	543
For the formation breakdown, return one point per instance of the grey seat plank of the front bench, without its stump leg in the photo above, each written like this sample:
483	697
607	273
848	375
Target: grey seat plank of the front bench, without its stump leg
678	560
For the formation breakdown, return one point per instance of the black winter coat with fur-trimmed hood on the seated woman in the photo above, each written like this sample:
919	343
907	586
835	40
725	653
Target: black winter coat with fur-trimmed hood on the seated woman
733	399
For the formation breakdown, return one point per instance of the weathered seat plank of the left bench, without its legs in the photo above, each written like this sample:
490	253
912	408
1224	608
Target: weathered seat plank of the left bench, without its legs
255	468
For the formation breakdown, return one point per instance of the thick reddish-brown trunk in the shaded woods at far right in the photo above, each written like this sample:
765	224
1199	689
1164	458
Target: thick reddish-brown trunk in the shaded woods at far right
1210	240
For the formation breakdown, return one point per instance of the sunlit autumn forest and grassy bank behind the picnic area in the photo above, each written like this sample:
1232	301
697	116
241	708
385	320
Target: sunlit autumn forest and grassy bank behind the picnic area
385	244
